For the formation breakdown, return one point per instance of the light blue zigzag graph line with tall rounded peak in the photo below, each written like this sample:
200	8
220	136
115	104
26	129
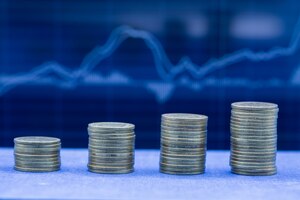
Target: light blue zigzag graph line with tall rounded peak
166	70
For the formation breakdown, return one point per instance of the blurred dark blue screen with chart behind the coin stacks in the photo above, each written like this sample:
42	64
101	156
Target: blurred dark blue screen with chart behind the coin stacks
64	64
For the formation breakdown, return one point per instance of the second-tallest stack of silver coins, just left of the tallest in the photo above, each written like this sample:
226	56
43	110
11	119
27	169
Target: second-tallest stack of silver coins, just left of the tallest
183	143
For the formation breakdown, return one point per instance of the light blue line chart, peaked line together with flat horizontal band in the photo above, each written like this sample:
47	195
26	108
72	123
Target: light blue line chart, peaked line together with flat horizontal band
167	71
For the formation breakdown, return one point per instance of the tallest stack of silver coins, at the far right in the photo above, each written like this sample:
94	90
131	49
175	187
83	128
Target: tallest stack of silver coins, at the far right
253	138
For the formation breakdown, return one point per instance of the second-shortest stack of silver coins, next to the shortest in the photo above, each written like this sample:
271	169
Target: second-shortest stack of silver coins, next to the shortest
111	147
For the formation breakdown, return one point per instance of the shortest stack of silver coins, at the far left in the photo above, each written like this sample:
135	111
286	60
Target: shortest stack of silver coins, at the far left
37	154
